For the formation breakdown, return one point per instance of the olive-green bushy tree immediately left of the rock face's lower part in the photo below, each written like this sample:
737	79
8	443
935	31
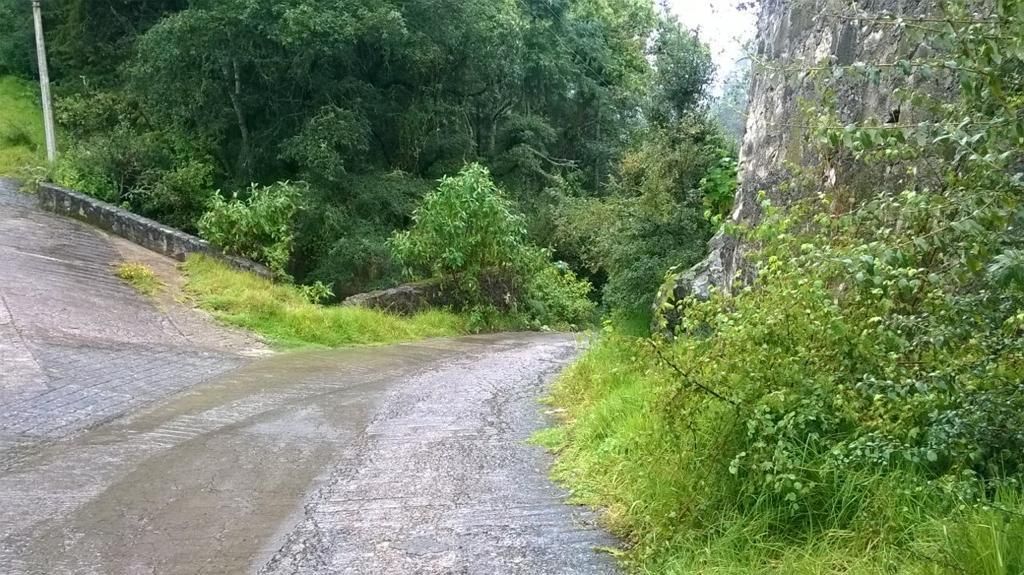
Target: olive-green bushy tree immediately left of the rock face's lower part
654	219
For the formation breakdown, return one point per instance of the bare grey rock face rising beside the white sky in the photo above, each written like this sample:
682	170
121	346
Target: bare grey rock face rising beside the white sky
792	37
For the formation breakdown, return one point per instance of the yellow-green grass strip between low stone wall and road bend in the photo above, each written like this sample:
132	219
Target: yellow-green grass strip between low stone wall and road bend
286	318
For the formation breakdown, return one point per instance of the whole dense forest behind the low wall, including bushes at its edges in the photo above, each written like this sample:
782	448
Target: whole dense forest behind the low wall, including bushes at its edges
333	120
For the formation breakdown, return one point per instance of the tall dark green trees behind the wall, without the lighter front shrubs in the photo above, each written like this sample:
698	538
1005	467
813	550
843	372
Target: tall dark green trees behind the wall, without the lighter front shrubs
165	102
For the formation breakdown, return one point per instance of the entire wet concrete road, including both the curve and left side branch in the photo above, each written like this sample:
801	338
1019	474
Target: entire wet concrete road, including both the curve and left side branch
169	456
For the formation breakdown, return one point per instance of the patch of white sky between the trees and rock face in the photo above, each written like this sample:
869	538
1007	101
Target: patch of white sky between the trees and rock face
722	26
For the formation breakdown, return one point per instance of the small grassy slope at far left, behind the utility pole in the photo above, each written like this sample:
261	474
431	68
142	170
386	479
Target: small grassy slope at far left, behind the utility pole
21	127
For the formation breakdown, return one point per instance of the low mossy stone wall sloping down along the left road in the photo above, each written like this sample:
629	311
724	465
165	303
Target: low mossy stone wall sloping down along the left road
146	233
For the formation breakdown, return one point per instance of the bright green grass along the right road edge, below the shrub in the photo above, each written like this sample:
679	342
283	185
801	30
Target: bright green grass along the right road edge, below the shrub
616	453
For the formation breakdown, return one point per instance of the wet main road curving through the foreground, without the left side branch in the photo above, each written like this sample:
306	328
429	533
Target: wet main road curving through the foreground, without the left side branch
409	459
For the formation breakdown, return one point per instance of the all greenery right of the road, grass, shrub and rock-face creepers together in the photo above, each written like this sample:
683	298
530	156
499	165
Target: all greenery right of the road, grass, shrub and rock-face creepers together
858	409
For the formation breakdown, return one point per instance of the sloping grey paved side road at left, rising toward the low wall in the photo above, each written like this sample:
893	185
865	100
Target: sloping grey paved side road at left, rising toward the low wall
78	346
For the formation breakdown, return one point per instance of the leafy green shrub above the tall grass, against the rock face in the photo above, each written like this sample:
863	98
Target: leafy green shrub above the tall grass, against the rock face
869	344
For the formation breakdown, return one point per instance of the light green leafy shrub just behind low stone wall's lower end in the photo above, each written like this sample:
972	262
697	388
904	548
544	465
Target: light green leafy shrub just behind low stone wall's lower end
260	227
